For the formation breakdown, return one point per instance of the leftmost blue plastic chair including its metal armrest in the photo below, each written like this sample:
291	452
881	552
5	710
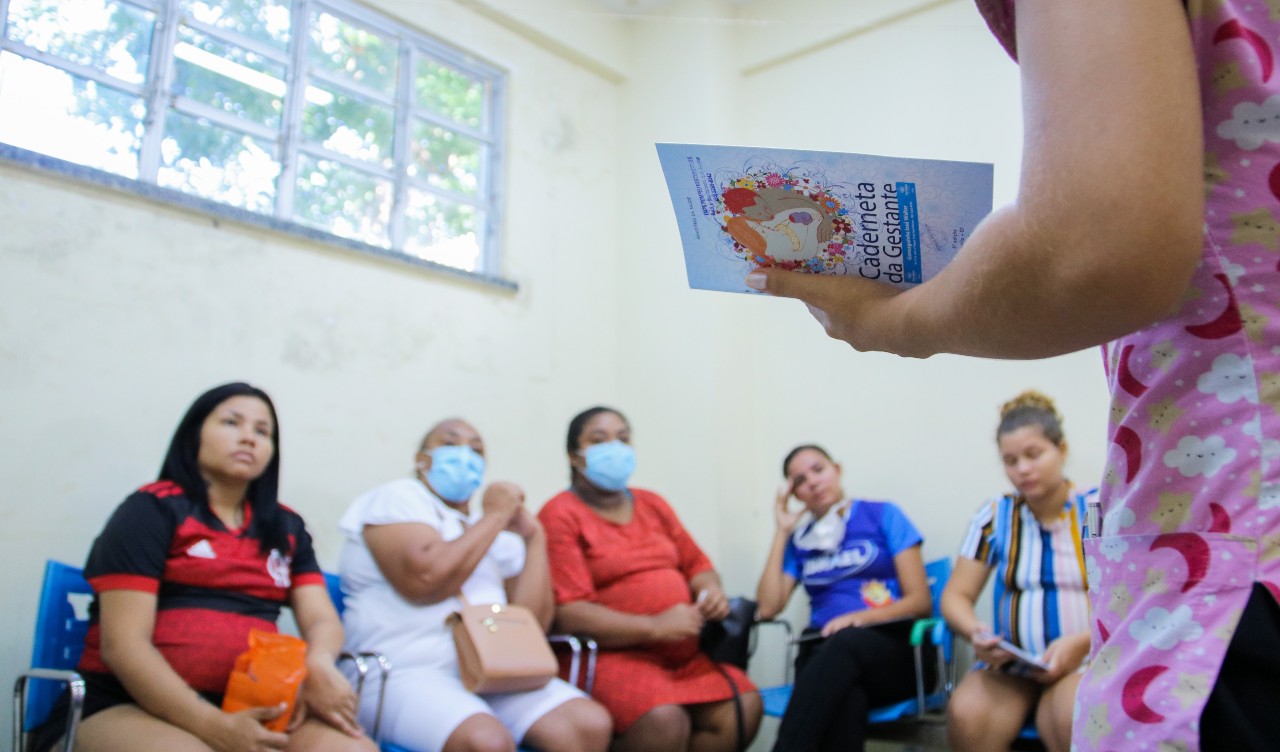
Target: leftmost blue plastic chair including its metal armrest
62	621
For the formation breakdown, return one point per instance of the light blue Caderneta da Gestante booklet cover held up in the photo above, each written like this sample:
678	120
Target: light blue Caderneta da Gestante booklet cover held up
889	219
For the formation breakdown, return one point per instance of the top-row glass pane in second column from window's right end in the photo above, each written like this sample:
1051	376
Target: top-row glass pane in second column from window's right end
354	53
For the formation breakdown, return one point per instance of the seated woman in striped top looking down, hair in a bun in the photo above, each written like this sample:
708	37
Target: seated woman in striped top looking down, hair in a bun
1031	540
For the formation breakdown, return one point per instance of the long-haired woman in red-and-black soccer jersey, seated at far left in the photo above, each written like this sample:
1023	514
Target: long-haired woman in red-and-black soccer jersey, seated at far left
181	574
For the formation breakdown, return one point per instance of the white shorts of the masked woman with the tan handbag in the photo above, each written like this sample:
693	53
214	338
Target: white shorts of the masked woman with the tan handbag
424	707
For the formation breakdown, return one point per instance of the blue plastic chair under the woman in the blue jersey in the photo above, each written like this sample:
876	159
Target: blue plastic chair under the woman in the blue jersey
938	572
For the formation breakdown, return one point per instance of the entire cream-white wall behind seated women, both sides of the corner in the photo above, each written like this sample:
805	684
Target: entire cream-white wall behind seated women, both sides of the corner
117	311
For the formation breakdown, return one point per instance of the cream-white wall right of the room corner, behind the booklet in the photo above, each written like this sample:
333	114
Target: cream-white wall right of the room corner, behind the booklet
738	380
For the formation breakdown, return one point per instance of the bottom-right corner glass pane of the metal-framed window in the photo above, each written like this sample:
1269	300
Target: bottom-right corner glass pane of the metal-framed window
442	231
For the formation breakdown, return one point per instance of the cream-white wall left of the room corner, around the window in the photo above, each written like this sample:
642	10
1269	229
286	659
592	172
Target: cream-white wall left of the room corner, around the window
117	313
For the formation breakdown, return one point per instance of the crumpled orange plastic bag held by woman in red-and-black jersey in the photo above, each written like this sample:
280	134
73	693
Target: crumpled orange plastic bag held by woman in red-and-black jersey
269	673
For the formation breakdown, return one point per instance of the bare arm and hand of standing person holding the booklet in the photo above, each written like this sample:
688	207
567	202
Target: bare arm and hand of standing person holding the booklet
1012	292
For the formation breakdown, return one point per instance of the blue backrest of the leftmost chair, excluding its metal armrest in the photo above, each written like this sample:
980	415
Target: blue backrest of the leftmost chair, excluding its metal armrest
62	621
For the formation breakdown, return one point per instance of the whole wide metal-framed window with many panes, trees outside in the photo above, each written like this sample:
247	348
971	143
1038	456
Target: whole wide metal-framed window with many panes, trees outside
316	113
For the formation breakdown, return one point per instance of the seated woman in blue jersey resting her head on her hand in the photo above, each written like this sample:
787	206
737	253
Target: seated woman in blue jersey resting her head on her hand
861	563
